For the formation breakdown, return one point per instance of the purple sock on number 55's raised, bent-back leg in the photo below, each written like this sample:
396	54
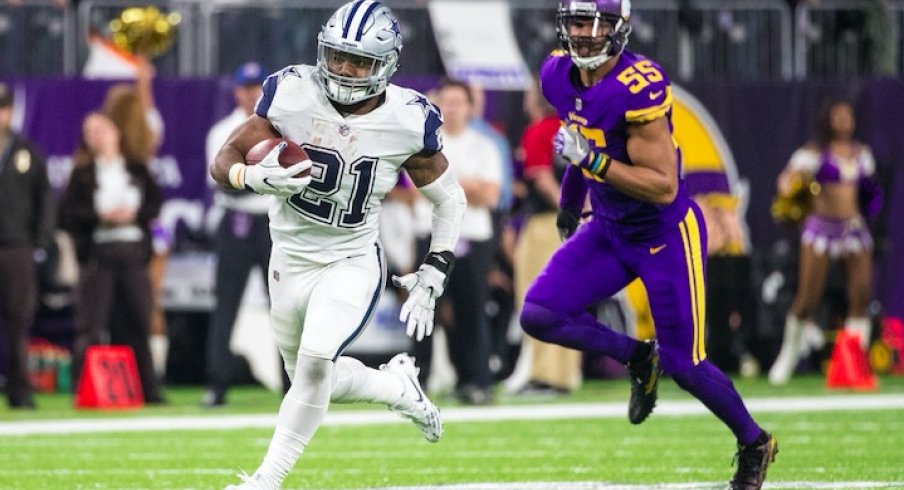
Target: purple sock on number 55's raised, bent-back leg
581	332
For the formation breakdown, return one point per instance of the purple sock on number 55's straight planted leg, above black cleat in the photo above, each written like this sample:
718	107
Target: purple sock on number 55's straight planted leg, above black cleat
718	394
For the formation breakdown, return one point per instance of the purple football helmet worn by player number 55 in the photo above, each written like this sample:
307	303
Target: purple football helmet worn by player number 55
593	31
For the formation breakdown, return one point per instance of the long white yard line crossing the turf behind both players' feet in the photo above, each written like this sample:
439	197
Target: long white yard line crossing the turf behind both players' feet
451	415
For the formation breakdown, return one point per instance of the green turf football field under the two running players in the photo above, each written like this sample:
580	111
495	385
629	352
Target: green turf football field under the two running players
821	447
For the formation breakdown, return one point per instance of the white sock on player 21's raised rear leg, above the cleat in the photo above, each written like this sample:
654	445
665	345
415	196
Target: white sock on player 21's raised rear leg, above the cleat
354	382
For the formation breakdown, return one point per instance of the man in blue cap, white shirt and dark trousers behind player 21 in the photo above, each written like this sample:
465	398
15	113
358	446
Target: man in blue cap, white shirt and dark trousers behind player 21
242	240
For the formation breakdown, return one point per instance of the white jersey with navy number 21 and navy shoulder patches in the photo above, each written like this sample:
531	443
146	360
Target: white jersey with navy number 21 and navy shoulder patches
357	160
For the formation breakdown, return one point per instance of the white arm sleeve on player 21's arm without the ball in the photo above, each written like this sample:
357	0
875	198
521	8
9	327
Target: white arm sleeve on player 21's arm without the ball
449	205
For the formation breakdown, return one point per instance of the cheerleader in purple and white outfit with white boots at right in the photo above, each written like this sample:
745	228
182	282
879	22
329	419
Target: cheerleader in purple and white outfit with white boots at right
847	195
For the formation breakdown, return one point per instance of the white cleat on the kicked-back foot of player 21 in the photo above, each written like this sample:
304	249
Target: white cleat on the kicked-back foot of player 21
414	404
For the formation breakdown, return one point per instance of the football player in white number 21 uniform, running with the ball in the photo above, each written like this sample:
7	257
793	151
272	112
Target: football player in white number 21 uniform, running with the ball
327	270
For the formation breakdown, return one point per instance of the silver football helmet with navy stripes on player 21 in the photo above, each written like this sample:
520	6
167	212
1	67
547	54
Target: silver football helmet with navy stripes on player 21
366	34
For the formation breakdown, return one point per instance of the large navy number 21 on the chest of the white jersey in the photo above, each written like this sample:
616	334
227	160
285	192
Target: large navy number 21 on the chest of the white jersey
323	196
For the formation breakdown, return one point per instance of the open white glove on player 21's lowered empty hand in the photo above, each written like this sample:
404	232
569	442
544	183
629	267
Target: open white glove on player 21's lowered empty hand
423	286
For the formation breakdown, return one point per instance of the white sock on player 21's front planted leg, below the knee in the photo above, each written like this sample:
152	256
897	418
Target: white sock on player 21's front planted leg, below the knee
300	414
